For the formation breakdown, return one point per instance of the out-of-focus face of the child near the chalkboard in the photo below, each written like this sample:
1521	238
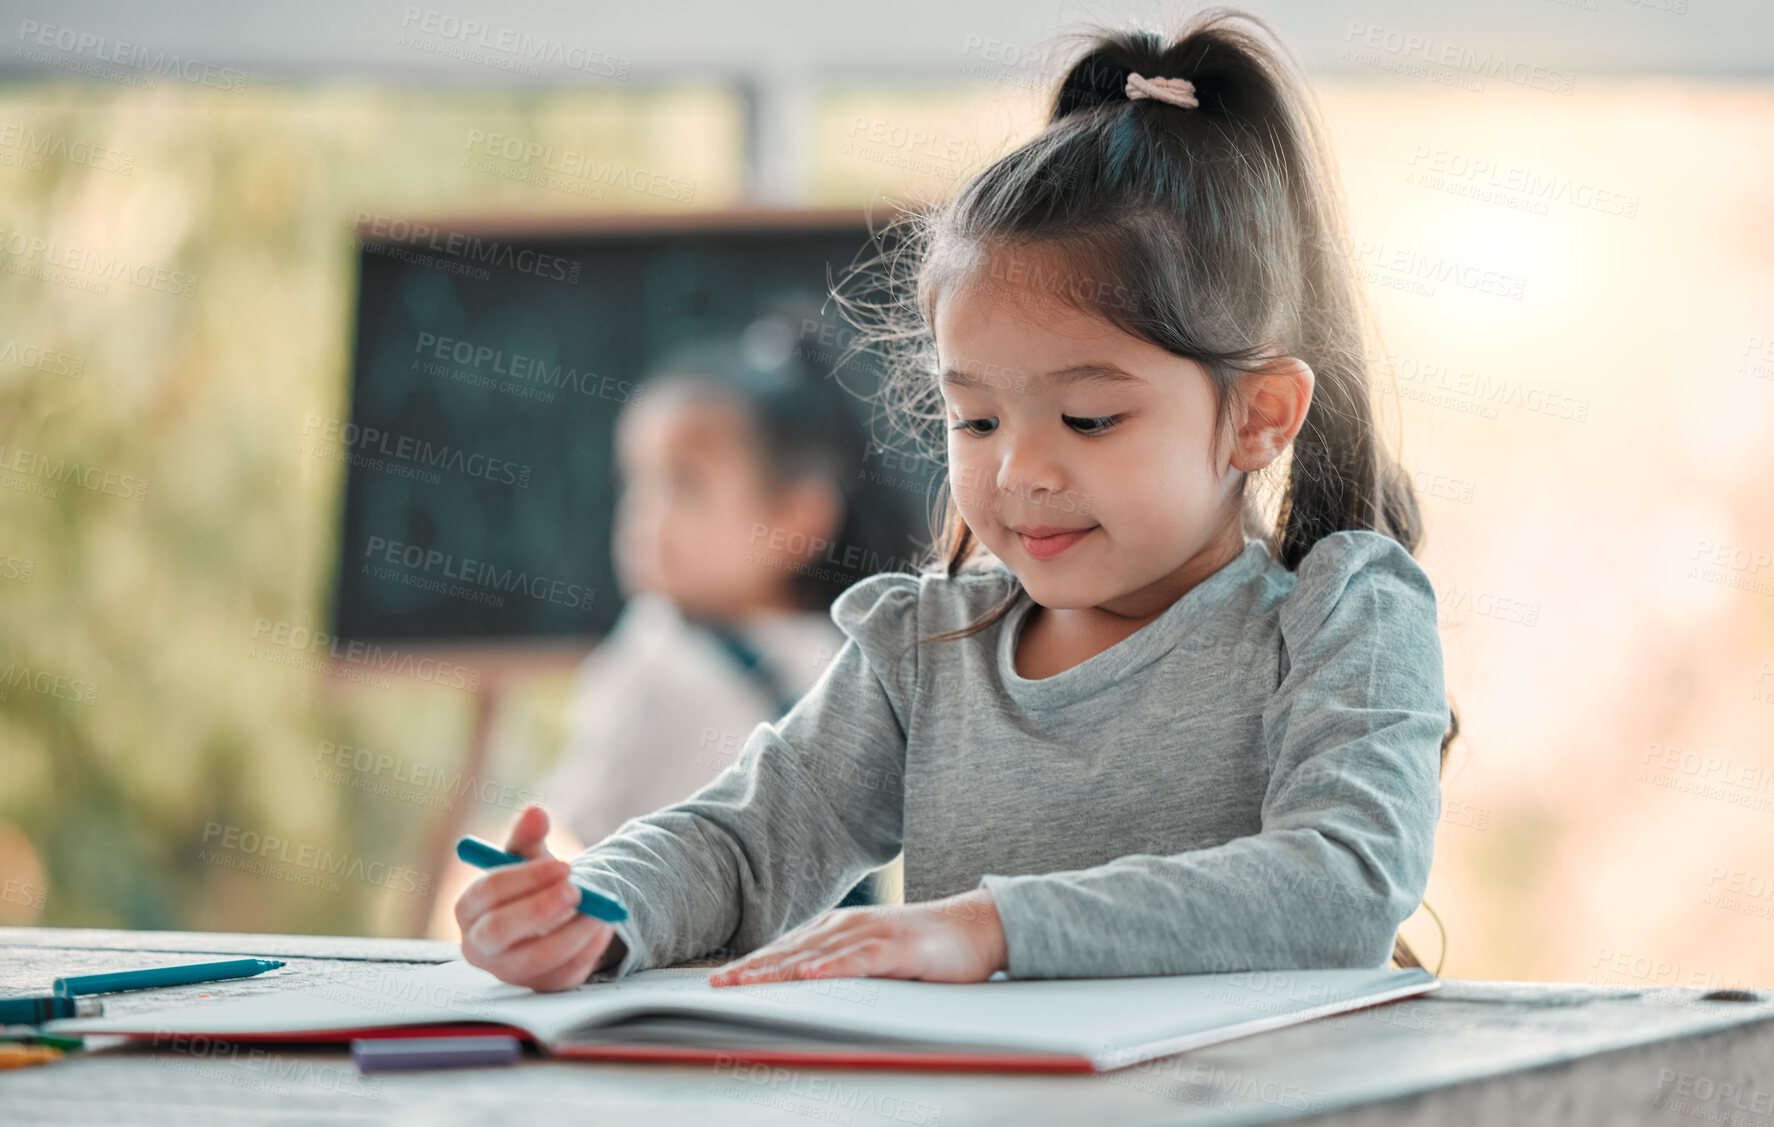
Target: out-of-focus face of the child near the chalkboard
698	521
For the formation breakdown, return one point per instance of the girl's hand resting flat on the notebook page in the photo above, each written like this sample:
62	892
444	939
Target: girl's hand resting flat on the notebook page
954	940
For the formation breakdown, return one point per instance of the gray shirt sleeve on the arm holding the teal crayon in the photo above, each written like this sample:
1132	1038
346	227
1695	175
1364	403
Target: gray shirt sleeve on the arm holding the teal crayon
813	803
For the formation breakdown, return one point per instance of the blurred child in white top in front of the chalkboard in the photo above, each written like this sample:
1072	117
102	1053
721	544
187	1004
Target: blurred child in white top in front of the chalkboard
742	514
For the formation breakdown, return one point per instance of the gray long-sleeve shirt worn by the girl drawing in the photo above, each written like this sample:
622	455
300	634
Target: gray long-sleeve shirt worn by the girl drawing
1248	782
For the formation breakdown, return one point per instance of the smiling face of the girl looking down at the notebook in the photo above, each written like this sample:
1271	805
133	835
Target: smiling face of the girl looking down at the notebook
1062	423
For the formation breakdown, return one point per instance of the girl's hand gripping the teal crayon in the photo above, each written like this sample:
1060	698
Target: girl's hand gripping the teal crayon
522	922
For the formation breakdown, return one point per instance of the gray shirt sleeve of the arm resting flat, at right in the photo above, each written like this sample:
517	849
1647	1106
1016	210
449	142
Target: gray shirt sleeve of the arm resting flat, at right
1347	821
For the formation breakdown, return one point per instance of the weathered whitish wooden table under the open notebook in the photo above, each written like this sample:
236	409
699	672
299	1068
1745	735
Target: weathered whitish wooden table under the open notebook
1472	1053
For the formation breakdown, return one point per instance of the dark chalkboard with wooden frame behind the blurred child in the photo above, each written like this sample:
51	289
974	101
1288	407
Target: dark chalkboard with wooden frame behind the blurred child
489	374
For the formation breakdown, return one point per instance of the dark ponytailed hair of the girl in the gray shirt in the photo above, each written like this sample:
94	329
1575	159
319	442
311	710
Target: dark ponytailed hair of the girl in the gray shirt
1214	233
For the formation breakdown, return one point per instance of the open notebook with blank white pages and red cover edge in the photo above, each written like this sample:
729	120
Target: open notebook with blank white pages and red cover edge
1071	1025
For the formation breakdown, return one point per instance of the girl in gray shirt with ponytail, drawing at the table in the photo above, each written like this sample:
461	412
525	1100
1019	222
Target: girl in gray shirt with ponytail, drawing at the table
1124	729
